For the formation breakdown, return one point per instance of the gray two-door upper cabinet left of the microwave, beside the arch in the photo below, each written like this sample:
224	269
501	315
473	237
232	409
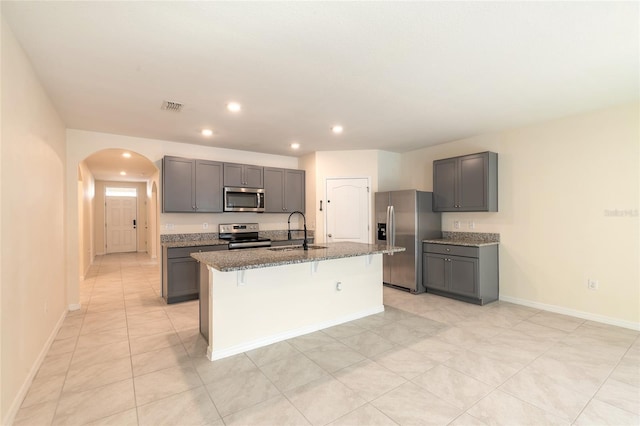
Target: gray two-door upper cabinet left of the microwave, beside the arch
191	186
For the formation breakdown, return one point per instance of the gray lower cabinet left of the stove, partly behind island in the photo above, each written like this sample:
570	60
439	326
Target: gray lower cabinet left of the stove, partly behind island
181	272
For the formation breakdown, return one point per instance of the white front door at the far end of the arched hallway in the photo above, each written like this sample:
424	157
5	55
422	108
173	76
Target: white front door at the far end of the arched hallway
121	226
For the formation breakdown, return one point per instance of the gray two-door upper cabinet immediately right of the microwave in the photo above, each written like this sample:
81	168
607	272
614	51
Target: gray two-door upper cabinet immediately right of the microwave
284	190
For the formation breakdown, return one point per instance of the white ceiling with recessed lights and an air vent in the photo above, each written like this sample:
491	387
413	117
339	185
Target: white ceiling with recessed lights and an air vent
396	75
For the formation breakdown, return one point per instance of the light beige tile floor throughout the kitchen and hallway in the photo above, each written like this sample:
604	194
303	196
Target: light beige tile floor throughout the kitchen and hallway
126	358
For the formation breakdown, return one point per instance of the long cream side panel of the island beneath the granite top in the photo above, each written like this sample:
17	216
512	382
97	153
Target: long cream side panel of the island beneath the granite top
257	307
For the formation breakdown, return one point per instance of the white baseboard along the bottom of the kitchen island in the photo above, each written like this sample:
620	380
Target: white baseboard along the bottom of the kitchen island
258	343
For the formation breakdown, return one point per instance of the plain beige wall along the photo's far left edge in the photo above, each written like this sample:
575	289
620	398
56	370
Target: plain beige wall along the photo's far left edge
33	224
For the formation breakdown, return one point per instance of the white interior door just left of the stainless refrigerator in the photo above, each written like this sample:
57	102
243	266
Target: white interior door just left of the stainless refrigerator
348	210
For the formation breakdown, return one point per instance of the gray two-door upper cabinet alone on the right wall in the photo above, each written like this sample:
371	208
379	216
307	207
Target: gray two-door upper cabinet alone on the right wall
467	183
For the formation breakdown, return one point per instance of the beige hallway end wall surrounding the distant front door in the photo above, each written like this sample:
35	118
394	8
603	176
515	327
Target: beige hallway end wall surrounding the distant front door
99	208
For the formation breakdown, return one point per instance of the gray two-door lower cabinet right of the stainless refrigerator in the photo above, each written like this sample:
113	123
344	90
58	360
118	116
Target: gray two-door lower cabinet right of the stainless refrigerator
462	272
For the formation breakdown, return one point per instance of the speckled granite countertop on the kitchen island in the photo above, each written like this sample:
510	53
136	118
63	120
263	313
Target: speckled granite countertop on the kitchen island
236	260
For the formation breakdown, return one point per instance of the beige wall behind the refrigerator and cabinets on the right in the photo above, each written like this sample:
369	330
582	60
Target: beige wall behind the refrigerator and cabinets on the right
558	183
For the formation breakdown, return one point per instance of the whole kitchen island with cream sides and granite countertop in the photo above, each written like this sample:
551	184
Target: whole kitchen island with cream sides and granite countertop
256	297
